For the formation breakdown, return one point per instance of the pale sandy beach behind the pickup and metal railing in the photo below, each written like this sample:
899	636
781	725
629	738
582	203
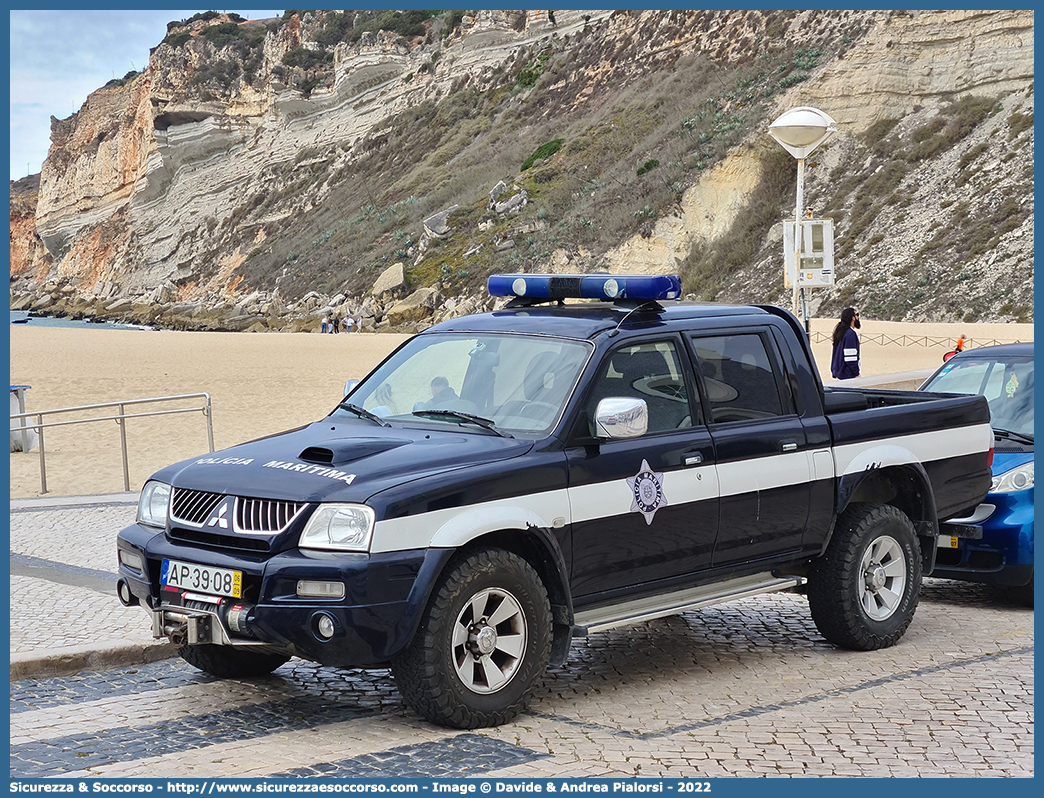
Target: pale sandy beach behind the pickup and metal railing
268	383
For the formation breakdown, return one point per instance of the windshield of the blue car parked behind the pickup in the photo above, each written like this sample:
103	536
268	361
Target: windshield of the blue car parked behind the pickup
1008	385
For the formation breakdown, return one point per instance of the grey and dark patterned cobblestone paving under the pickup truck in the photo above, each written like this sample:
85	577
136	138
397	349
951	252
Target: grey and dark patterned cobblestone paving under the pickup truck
746	689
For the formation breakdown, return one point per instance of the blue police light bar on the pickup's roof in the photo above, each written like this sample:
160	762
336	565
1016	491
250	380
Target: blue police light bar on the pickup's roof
586	287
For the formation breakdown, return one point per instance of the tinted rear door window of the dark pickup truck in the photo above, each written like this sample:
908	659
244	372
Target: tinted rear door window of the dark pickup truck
739	377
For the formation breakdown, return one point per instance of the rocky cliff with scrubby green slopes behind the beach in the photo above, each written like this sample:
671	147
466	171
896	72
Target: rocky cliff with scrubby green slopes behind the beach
257	175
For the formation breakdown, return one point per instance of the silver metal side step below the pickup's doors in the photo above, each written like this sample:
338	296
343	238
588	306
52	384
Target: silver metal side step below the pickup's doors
637	611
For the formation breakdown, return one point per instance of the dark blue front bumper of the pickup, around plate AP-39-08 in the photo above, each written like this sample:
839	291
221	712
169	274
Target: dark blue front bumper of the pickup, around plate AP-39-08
374	622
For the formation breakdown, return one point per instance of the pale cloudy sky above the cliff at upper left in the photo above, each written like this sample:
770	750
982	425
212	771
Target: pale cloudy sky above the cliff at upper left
60	57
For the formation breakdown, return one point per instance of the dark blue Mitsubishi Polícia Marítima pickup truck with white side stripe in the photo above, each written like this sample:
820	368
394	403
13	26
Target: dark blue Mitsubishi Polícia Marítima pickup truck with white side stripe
505	482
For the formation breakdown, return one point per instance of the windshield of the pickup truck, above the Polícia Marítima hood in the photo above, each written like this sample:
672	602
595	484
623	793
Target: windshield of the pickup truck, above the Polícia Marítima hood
518	383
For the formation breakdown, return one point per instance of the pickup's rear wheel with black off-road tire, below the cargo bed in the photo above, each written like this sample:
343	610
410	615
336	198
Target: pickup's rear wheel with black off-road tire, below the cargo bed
845	585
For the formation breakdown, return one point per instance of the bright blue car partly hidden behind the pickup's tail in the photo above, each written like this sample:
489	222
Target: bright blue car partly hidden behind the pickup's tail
1005	553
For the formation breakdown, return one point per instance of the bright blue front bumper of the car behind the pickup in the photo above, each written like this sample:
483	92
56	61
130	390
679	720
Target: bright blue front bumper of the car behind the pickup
1004	555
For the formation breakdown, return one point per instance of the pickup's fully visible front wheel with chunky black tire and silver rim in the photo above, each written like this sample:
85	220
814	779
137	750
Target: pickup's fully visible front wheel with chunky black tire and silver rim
433	672
